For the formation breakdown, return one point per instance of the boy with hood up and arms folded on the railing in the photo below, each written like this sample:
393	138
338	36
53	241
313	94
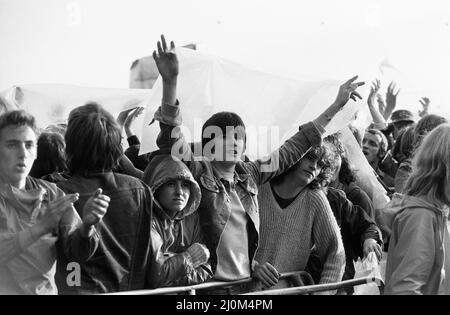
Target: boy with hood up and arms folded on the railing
177	241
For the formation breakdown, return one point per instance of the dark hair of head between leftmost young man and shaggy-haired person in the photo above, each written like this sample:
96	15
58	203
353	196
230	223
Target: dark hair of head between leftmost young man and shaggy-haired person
51	155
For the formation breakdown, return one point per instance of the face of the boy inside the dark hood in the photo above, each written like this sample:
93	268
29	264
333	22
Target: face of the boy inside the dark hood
174	196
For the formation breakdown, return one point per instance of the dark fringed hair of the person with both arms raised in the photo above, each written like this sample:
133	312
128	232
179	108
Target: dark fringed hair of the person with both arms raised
222	120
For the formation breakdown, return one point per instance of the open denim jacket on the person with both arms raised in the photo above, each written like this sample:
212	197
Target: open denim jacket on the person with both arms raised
215	206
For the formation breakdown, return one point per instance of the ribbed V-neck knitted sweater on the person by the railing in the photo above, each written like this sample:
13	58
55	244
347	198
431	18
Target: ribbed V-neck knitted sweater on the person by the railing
287	235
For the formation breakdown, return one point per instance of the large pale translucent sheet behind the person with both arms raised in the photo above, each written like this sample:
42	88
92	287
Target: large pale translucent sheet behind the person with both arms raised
272	107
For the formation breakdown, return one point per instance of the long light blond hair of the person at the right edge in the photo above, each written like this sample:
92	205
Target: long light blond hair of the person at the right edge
431	168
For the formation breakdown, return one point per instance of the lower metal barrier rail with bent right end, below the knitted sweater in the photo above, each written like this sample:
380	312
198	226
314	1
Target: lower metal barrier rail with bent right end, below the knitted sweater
323	287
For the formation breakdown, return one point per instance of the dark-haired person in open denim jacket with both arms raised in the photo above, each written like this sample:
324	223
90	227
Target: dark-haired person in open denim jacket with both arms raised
229	207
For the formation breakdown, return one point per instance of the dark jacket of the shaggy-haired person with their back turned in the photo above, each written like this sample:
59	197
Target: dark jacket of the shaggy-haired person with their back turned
124	252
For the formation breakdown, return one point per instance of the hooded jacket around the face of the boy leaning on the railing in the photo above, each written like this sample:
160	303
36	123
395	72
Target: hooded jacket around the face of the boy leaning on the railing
171	237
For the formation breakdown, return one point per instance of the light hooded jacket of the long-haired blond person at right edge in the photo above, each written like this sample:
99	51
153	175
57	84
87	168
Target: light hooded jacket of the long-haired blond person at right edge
416	257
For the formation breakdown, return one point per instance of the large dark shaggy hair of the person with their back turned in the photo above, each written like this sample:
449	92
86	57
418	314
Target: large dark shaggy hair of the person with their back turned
93	140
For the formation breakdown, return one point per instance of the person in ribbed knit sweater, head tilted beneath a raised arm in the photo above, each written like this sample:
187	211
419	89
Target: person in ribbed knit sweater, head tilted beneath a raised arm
295	216
